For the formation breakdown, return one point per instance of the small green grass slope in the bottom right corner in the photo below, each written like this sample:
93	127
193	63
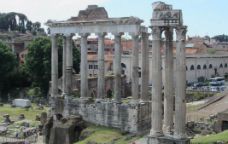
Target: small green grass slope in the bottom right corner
210	139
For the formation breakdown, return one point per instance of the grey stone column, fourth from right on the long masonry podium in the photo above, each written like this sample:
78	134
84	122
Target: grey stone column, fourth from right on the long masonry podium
101	67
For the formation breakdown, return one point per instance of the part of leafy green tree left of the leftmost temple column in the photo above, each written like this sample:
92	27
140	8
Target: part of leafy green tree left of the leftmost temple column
38	62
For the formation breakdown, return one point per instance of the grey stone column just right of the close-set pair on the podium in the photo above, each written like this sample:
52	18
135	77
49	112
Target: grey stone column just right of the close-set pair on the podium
84	66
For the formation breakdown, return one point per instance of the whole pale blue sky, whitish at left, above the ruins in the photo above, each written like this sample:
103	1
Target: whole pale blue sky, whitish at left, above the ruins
203	17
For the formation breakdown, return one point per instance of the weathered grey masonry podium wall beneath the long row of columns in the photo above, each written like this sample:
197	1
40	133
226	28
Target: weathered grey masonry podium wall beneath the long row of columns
134	118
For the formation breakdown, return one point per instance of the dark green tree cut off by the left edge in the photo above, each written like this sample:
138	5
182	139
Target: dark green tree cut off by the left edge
8	64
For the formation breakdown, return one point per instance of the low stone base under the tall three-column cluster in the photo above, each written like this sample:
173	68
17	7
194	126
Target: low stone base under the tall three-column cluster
166	140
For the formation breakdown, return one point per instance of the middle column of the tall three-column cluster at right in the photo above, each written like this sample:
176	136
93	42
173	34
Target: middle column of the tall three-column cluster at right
168	85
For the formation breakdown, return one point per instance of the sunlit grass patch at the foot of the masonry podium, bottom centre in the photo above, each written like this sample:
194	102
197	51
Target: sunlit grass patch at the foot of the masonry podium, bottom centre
104	135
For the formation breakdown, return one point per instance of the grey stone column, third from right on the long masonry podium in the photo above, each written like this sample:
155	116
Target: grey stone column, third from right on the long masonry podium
117	68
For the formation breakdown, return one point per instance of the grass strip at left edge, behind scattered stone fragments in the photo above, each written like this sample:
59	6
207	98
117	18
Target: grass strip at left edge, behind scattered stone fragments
30	113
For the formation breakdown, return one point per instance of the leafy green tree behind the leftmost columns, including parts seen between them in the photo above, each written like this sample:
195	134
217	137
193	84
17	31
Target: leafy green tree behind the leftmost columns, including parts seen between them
38	62
